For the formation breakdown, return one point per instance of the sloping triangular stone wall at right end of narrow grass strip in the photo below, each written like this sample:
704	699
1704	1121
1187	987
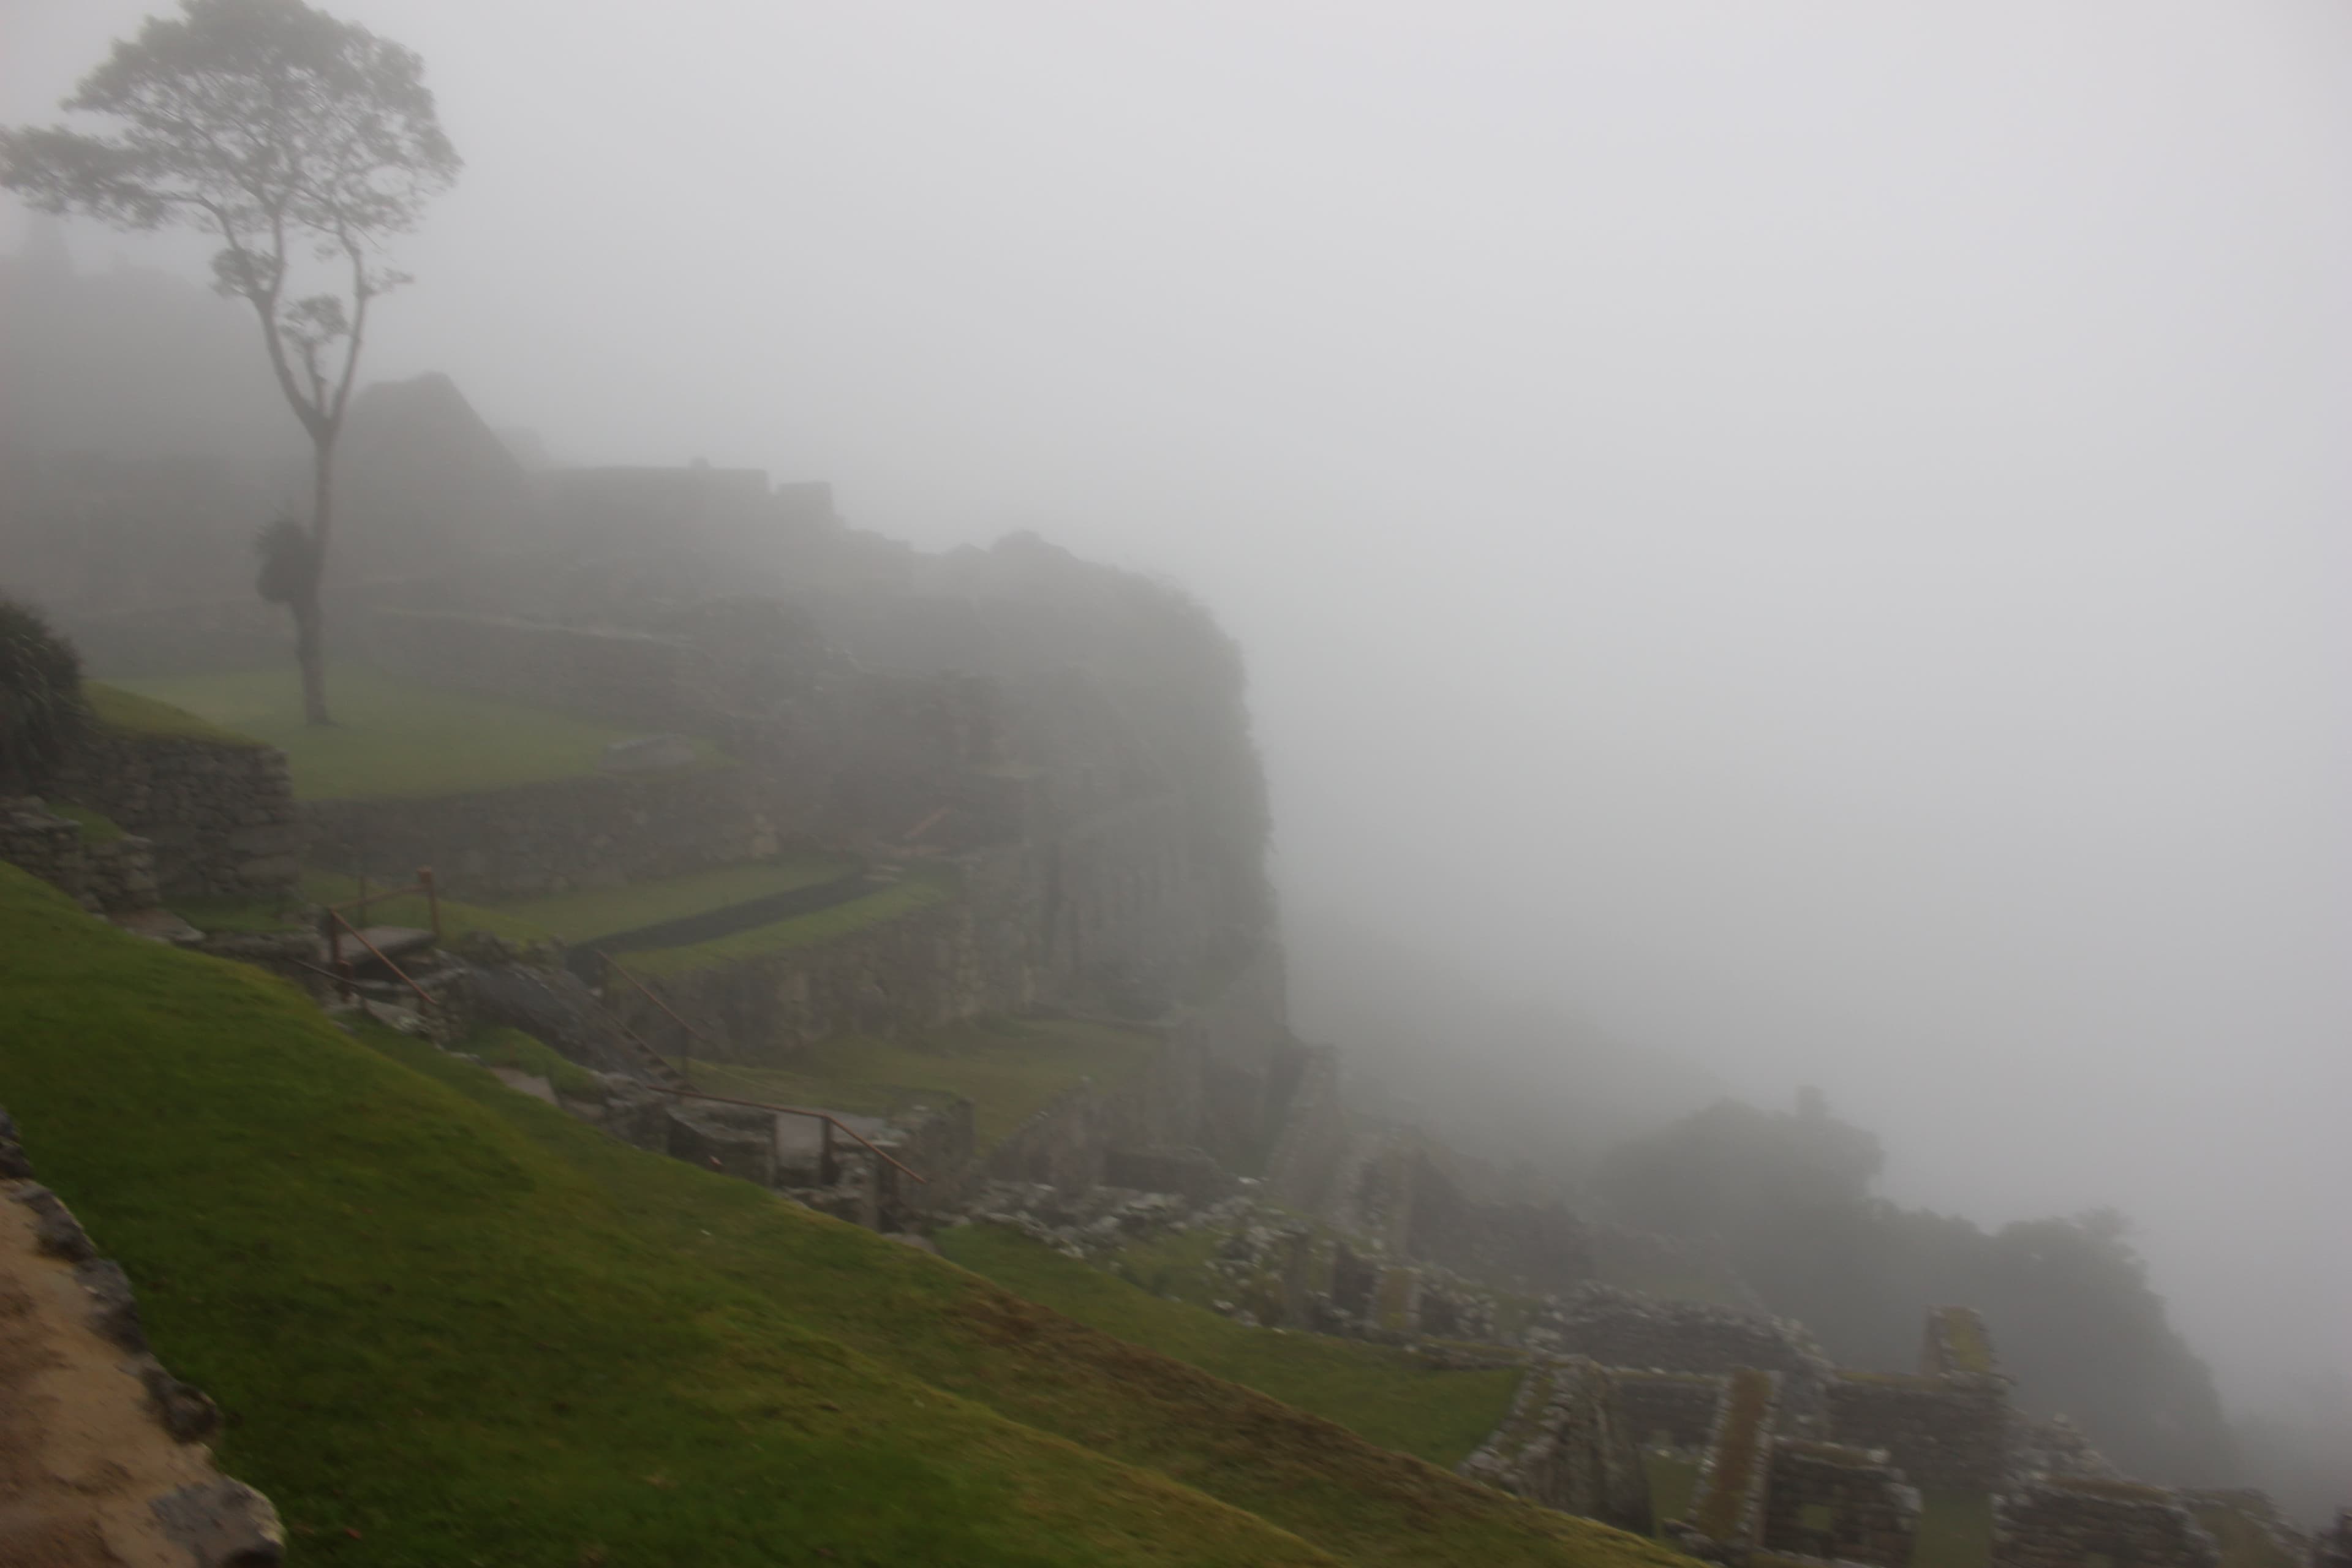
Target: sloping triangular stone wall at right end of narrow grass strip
1570	1447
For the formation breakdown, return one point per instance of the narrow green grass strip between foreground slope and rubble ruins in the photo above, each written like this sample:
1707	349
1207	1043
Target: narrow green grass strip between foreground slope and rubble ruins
1382	1395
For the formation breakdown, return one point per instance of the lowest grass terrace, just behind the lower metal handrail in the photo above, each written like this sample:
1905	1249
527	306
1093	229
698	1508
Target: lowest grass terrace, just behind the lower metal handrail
1005	1066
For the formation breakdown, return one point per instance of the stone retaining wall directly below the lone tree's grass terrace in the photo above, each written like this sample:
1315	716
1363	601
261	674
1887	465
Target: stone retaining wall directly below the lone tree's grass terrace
547	838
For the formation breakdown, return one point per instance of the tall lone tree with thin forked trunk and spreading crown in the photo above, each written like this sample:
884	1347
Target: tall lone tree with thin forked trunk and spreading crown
290	138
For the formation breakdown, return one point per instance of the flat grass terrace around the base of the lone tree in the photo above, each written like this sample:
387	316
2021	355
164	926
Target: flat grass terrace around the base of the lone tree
392	737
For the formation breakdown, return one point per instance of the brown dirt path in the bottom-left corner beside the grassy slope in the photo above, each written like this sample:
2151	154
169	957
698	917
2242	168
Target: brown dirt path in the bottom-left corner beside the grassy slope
81	1456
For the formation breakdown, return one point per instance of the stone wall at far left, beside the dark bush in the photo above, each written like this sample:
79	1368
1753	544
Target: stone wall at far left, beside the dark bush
220	815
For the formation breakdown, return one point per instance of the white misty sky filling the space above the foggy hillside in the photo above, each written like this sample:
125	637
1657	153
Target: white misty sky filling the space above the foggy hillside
1808	532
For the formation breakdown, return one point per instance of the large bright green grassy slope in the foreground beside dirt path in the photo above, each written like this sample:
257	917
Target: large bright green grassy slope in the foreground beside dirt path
453	1325
